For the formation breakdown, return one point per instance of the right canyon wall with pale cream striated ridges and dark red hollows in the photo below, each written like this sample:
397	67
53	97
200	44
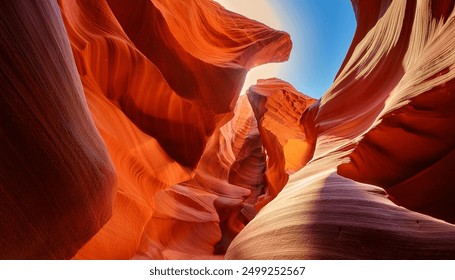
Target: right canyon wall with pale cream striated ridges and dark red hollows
383	151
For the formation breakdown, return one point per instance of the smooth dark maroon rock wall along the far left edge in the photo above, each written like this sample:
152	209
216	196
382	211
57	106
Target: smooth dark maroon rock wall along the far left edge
56	179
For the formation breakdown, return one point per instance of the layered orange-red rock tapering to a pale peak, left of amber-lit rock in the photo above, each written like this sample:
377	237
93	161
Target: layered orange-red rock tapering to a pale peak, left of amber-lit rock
210	209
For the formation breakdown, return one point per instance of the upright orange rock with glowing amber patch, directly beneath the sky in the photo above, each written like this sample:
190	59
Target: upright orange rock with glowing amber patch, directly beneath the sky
279	109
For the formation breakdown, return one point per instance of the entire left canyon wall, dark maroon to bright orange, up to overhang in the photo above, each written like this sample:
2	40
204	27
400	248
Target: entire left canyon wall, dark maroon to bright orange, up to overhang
113	132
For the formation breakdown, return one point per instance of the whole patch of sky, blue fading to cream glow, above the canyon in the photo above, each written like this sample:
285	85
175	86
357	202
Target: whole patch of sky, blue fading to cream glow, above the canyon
321	31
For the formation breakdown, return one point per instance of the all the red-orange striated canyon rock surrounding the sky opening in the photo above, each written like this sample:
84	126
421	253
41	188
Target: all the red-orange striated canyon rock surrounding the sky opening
123	136
